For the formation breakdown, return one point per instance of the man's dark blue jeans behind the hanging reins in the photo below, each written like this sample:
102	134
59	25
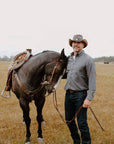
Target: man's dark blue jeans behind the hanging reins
73	101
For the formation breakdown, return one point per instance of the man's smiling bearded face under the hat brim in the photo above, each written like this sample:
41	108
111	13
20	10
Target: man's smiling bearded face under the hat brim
77	46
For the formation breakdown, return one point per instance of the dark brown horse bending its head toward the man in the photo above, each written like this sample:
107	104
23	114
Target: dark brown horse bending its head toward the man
28	83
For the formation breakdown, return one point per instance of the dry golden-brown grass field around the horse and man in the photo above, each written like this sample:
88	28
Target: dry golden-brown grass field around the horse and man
12	131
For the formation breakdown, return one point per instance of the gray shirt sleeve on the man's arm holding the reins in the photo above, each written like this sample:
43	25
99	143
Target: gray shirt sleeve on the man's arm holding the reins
91	73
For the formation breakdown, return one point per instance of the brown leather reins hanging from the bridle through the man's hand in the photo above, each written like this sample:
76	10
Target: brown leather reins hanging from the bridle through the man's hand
68	122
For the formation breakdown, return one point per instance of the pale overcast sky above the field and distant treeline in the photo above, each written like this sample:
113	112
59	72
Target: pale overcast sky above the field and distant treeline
48	25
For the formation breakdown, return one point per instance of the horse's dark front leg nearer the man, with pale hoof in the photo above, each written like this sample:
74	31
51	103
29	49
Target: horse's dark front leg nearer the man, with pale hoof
39	105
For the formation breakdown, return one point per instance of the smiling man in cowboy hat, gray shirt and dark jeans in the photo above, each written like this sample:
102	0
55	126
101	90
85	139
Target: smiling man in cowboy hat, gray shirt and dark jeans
81	76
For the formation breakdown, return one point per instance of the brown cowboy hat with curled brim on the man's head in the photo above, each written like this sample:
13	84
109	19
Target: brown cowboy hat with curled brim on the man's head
78	38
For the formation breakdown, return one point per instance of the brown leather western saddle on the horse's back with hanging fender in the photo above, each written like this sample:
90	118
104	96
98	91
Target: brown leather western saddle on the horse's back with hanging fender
15	64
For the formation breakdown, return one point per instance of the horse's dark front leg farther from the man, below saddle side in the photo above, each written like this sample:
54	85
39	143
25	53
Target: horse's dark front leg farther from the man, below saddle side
25	107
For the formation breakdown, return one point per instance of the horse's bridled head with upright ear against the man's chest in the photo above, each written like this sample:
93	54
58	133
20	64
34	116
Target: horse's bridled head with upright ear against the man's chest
54	71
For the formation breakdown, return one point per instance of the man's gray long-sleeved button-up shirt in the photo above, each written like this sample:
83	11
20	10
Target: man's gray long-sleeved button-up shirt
81	74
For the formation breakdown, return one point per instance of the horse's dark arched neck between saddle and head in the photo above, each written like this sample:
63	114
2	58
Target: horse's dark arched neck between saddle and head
32	71
